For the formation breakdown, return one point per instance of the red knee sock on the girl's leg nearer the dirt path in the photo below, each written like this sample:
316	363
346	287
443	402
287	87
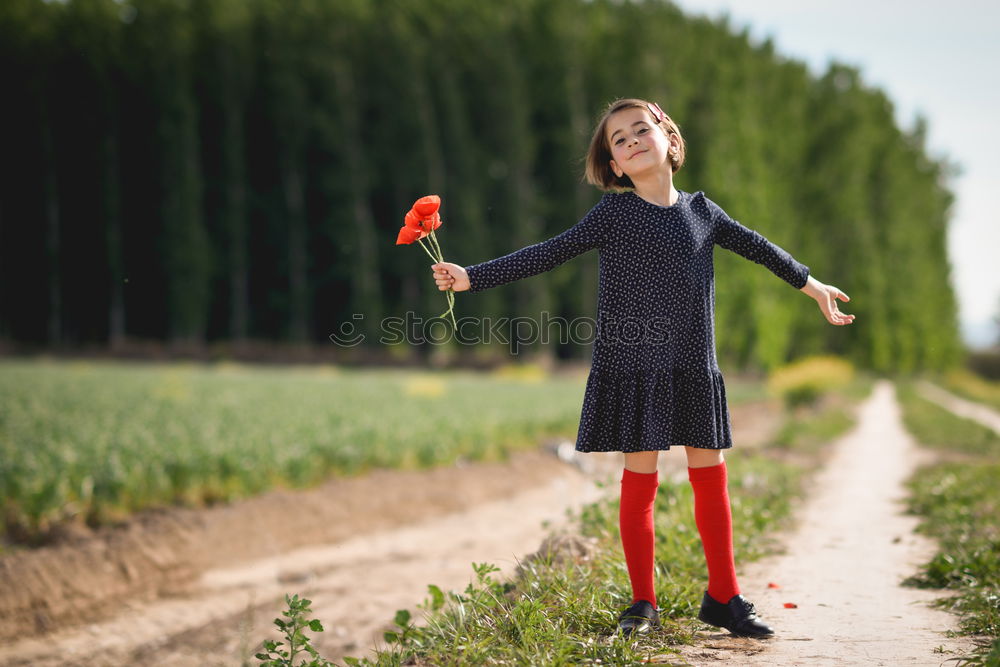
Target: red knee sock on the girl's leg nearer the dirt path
715	525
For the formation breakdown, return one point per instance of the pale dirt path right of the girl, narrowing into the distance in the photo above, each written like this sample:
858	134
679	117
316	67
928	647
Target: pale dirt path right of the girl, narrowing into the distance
844	564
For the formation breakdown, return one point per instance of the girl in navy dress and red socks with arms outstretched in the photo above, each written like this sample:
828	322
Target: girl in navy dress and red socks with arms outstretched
654	381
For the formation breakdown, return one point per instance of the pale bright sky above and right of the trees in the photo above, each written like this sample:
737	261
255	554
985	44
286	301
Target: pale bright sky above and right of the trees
938	60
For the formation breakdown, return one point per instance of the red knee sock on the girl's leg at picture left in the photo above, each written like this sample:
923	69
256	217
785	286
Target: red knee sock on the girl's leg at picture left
635	517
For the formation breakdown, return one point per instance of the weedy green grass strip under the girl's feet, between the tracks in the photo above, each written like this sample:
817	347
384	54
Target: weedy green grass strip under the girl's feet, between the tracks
563	609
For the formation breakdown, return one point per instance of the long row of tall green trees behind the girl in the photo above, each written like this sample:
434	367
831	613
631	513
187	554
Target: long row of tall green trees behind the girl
235	170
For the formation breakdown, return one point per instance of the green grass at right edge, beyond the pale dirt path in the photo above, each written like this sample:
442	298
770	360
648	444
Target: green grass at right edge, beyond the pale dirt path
959	502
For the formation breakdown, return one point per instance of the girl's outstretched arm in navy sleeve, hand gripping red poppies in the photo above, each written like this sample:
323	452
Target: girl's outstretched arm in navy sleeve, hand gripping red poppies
585	235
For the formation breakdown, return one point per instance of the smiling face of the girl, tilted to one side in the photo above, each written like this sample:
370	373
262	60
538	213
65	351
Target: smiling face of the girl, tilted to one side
638	145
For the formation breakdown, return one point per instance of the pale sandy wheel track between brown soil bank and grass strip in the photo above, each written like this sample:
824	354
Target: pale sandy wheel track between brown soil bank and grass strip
355	585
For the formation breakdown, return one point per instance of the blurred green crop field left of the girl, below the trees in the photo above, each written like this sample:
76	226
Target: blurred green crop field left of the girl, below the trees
97	441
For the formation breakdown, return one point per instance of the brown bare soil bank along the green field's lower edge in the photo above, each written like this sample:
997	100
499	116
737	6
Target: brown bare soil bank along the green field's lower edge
162	552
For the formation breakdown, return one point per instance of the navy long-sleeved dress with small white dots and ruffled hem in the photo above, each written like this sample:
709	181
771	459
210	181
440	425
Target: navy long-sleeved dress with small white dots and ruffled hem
654	380
